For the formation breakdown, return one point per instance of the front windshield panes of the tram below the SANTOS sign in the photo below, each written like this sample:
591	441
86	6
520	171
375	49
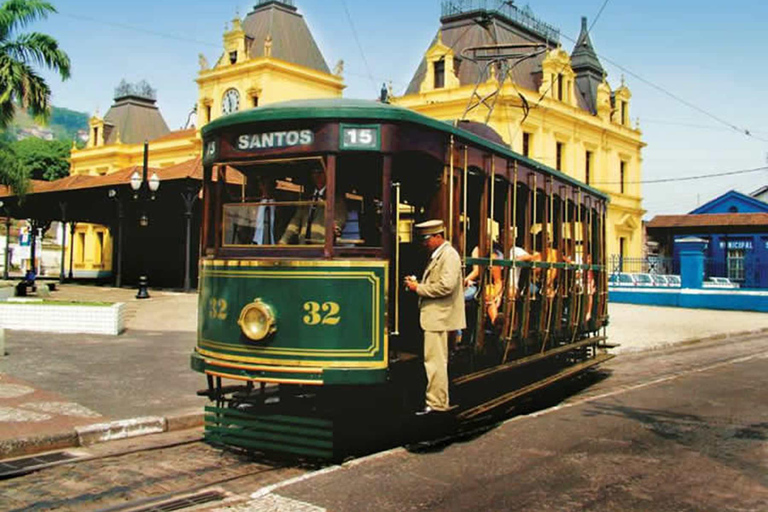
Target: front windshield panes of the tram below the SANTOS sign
285	204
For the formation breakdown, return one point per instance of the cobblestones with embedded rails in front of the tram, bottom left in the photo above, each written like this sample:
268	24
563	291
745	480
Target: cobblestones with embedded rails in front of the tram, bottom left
121	479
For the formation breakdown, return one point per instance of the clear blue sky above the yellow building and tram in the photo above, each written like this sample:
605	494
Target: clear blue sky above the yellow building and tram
696	68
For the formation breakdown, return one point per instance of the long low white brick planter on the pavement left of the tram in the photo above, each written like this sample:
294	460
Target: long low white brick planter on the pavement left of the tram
65	318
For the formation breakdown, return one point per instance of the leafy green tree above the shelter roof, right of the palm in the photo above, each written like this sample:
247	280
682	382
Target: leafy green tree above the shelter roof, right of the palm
43	159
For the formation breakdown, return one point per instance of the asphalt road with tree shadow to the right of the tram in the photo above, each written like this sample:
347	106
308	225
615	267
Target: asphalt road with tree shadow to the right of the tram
677	430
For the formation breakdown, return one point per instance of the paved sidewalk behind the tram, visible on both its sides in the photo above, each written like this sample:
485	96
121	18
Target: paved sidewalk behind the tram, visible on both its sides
52	387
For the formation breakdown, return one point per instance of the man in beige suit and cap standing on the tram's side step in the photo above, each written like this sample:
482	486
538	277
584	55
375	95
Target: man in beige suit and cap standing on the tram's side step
441	305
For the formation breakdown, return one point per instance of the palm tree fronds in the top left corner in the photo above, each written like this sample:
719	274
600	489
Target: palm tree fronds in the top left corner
19	81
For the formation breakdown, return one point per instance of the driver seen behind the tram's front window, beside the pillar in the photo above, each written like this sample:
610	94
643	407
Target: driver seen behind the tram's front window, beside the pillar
307	226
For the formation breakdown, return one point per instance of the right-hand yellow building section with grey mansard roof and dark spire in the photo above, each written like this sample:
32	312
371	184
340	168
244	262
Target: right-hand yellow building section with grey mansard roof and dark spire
553	107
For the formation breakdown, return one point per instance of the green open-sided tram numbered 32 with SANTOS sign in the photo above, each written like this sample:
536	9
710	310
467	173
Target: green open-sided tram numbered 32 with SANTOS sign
308	339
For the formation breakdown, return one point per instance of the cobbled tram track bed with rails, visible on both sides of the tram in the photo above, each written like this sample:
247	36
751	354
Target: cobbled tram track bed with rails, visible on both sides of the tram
147	475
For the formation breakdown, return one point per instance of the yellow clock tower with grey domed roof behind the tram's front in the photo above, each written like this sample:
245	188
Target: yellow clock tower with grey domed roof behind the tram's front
268	56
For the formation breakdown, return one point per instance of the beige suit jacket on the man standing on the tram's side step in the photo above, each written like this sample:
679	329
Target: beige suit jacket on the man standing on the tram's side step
441	297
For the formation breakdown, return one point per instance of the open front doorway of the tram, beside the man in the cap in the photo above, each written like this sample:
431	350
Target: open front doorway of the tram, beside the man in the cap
416	193
